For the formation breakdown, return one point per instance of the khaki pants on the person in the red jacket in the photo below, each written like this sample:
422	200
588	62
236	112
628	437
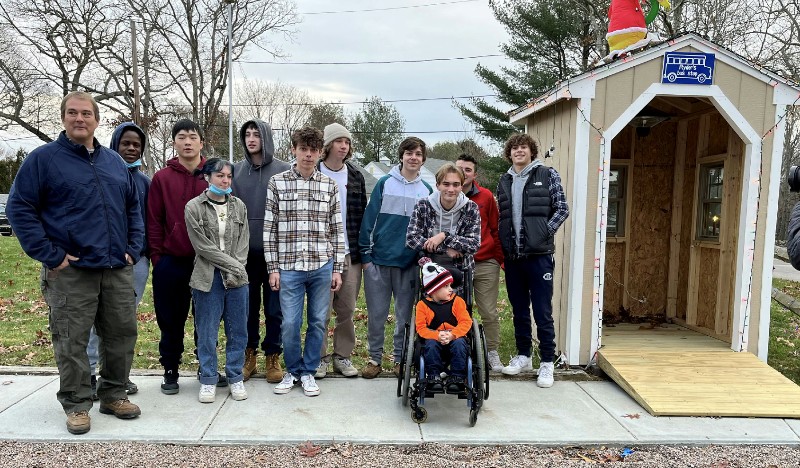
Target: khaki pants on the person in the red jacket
486	284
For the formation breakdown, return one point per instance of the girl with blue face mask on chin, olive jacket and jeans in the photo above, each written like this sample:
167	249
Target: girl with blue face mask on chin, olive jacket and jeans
218	230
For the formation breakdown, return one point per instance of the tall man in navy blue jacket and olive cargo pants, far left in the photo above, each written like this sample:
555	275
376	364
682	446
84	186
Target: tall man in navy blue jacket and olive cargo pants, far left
75	208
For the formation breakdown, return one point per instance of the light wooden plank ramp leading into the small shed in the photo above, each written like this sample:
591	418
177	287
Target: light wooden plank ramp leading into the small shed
674	371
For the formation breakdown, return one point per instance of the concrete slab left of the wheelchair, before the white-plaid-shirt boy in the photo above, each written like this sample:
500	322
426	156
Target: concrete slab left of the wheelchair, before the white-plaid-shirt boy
347	410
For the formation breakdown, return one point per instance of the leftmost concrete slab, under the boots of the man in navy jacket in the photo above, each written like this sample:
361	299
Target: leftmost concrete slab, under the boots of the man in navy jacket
165	418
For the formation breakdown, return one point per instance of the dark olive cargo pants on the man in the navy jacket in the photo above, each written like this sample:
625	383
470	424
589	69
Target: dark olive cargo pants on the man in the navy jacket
79	298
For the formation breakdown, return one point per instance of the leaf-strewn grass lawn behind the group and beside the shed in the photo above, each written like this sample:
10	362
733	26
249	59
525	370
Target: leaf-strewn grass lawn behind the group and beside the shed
25	339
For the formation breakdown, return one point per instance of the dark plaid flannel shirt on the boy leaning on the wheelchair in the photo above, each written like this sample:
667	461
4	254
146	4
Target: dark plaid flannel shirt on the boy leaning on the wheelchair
466	239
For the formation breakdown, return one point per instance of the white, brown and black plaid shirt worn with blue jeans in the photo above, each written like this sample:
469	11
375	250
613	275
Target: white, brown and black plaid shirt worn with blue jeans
303	223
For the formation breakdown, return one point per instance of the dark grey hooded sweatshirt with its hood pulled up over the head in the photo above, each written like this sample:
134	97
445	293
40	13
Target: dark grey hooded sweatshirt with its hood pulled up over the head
250	180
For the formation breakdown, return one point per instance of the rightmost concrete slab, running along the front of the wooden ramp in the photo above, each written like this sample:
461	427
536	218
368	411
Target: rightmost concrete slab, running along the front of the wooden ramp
685	430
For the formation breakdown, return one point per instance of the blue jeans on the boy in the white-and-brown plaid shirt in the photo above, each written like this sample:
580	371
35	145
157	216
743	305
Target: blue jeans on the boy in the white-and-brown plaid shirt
294	286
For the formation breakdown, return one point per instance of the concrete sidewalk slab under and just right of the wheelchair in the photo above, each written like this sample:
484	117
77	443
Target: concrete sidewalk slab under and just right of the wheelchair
521	412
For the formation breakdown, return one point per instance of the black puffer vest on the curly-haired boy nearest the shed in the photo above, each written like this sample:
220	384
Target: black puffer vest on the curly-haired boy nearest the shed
536	238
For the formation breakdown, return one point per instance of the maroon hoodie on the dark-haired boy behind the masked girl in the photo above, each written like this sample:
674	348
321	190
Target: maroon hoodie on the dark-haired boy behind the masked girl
170	190
